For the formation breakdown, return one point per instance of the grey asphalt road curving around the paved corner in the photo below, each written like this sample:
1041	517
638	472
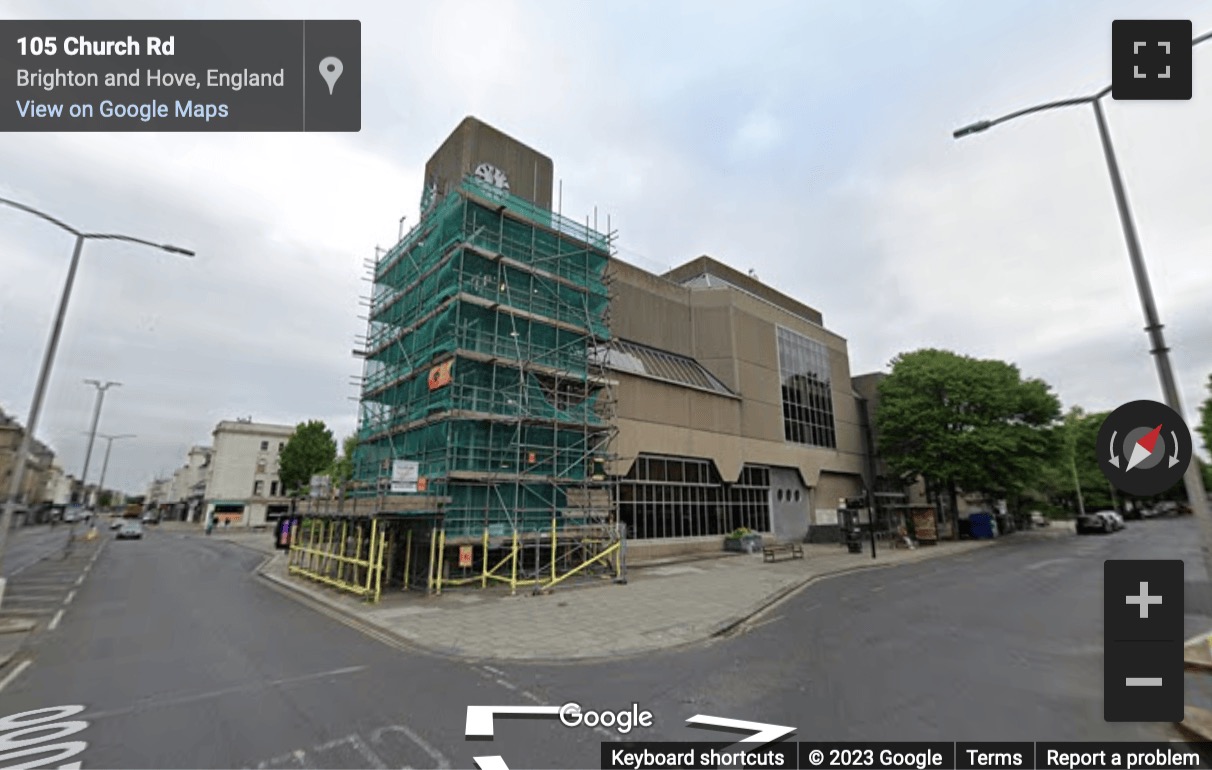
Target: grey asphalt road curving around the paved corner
181	658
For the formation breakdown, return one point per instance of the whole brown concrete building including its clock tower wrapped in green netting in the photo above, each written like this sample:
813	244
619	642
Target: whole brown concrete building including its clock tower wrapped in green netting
531	379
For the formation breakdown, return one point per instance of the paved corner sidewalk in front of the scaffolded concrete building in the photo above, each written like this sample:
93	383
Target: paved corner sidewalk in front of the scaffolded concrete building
665	607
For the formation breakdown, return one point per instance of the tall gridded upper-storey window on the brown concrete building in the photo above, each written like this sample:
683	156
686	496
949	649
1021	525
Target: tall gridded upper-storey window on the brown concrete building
808	396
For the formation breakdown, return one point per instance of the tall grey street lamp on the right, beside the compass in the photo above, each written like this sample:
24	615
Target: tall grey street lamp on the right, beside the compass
1192	481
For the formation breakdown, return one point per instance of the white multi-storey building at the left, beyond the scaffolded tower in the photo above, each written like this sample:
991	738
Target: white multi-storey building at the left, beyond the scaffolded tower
243	488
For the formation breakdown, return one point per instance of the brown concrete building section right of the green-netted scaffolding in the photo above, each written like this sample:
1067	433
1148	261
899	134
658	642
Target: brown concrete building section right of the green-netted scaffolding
735	408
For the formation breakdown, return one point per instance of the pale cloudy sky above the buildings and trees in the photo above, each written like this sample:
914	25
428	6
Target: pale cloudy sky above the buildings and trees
810	142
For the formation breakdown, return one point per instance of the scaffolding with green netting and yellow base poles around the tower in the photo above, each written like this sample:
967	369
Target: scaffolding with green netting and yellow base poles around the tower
483	373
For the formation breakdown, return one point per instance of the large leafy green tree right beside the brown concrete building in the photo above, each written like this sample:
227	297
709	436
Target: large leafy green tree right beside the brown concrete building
965	424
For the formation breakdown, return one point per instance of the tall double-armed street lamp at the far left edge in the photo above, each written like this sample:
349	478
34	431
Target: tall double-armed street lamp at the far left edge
44	374
